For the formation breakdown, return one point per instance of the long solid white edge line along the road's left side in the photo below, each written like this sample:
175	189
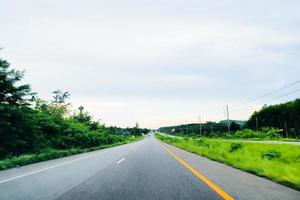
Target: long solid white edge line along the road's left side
54	166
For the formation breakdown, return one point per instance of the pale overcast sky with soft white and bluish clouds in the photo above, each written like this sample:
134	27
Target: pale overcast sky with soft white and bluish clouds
156	62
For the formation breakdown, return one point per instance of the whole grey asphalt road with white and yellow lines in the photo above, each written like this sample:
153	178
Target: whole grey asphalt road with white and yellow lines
147	169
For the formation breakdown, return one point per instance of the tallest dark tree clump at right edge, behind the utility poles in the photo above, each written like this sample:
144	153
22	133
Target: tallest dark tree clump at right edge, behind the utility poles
285	116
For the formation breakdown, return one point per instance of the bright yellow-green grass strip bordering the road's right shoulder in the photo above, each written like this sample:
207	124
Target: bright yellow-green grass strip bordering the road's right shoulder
278	162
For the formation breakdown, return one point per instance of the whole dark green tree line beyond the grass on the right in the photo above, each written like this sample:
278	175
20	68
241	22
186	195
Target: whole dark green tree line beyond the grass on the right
285	118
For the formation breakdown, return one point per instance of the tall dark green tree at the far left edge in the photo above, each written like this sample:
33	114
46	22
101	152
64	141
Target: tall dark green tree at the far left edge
16	118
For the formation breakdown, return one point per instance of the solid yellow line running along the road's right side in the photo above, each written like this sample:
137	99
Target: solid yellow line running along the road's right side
199	175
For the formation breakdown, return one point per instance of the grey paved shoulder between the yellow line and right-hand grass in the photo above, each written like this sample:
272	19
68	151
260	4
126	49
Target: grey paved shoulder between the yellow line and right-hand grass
240	184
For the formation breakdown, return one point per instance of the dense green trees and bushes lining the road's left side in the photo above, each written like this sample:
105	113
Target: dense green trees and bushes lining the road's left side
31	125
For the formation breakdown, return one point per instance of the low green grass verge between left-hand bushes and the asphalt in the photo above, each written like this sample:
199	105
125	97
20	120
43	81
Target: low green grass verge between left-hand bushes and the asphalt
49	154
